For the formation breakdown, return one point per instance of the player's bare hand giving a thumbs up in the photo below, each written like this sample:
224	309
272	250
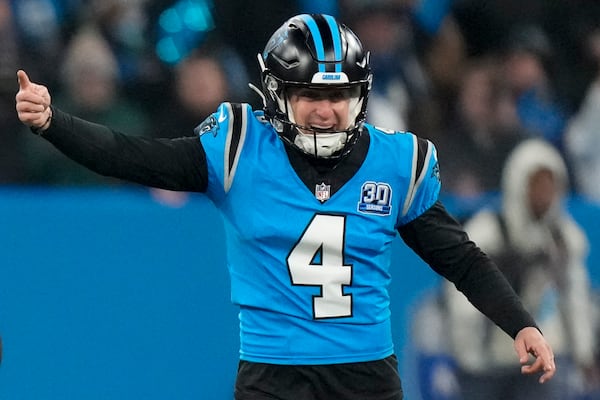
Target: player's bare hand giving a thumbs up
33	103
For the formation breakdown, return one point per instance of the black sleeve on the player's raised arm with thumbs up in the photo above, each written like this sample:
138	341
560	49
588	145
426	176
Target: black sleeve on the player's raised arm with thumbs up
173	164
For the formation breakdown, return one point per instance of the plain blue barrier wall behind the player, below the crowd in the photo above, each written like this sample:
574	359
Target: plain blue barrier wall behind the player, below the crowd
108	294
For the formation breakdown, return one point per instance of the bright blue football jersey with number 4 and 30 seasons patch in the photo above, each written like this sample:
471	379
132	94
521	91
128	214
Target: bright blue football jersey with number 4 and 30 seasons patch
309	268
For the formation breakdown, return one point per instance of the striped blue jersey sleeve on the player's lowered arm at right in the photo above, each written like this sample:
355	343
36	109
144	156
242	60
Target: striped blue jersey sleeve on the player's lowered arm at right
424	188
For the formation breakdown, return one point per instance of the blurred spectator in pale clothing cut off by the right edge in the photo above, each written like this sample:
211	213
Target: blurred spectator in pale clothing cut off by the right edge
582	137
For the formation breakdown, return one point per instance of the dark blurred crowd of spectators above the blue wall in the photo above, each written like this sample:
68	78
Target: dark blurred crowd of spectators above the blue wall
475	77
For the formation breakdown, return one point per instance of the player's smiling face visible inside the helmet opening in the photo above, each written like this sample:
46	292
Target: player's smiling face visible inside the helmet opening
323	109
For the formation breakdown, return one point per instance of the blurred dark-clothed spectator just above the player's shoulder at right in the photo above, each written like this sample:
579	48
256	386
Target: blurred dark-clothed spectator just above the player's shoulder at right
479	134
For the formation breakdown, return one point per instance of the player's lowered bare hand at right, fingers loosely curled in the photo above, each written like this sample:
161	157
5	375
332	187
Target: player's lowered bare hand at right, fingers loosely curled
530	341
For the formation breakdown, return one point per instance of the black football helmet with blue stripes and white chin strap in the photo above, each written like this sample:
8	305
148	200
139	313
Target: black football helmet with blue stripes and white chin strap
315	51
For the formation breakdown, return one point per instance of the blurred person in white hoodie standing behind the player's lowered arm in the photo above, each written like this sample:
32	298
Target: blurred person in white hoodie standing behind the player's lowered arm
542	252
